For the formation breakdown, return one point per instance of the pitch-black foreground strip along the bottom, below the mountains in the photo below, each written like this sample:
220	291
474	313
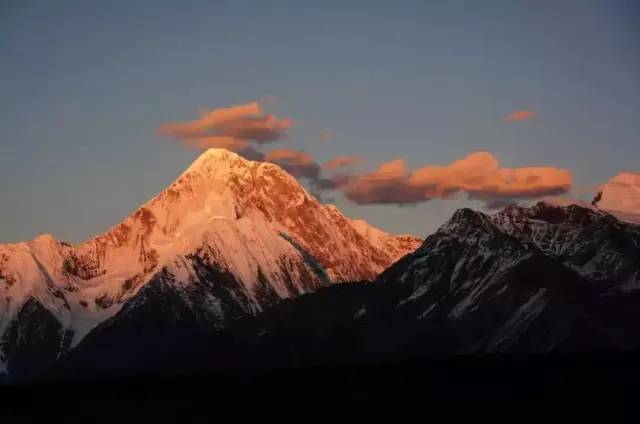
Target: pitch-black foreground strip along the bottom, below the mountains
516	386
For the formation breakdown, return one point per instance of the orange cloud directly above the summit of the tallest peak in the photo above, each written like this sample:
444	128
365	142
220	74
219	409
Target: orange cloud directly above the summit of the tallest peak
246	121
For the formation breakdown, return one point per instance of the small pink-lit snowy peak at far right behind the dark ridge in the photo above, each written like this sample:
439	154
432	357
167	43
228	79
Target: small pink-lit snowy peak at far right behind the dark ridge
620	196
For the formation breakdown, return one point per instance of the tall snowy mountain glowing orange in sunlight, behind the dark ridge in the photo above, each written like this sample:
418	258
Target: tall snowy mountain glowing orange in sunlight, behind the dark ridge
228	238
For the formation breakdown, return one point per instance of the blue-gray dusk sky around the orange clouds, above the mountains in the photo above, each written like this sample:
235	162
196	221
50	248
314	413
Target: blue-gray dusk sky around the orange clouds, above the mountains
84	87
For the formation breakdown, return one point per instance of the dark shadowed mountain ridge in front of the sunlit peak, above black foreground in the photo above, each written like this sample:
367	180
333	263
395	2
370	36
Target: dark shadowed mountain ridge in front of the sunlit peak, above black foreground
525	280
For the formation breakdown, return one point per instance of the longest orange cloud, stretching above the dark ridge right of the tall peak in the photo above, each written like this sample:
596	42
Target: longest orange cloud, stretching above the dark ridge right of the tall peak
478	174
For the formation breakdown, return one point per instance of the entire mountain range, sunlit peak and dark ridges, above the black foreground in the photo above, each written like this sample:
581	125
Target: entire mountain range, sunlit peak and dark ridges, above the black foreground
235	265
